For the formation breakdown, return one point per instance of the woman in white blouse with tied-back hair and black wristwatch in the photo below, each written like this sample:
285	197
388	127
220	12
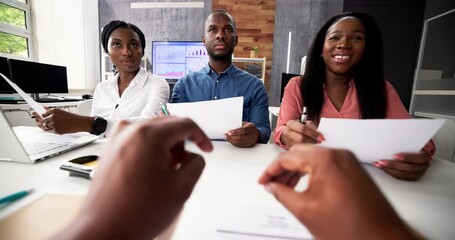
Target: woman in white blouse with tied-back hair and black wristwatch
131	94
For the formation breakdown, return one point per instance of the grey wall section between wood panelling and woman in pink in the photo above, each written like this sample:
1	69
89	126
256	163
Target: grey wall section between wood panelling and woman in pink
303	18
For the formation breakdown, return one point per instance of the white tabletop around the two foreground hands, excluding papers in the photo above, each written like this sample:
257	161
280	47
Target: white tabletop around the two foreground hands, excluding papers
230	177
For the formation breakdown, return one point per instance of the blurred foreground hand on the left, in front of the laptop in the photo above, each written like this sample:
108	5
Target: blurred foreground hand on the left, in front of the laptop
143	180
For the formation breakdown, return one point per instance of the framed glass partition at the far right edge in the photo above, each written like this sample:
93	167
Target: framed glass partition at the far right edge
434	81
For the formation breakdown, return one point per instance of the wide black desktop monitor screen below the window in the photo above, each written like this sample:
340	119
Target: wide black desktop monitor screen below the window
33	77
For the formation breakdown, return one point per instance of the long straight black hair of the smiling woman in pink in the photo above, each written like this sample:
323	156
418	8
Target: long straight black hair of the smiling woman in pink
368	73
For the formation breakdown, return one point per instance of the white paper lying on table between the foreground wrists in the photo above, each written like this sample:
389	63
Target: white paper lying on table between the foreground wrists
239	221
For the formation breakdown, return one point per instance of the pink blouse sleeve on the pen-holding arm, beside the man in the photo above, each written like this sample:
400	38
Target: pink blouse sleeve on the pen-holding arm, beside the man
291	107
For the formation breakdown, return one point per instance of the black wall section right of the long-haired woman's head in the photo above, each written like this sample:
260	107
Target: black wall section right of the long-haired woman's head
401	24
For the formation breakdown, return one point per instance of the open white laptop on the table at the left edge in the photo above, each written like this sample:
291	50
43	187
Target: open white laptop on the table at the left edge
31	144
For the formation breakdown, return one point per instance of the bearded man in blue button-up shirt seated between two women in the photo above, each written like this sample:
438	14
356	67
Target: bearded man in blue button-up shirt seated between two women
221	79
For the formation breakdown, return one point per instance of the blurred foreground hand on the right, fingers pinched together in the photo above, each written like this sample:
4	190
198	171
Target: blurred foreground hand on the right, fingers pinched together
341	201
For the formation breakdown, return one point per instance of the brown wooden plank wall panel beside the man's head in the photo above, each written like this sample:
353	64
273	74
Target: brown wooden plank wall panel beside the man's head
255	21
